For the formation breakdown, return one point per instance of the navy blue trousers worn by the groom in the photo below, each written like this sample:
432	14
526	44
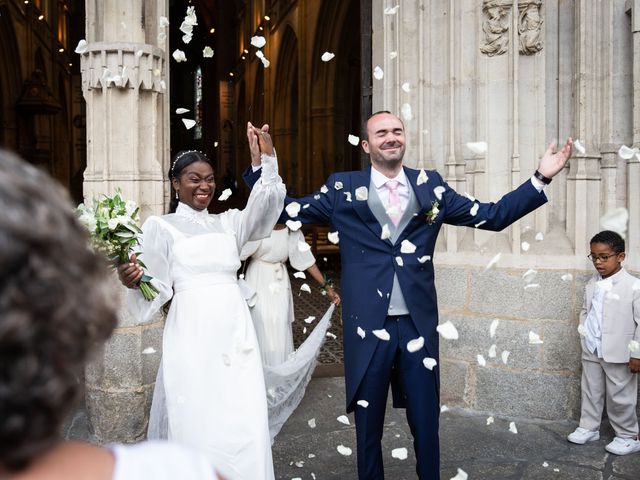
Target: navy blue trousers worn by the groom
421	388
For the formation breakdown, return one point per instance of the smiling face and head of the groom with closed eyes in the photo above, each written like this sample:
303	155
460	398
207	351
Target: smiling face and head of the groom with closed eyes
385	141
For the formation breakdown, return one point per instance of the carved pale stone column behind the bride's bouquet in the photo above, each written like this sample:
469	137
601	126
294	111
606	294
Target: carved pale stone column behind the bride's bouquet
124	82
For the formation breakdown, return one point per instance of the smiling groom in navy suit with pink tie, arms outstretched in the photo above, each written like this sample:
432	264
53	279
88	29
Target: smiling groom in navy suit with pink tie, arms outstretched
388	217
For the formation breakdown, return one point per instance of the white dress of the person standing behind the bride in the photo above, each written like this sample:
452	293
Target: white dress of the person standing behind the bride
267	274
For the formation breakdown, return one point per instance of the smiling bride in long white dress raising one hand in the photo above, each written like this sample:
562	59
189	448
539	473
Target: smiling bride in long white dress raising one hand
210	387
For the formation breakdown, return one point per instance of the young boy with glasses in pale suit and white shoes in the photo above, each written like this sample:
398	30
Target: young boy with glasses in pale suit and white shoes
610	332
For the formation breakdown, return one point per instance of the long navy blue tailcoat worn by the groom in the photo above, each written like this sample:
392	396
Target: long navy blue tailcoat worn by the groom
368	262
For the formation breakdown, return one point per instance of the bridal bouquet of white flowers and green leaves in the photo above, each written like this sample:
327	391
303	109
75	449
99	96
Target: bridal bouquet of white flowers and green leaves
113	228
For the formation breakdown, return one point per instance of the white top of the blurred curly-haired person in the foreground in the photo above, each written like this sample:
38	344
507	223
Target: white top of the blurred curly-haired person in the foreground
159	461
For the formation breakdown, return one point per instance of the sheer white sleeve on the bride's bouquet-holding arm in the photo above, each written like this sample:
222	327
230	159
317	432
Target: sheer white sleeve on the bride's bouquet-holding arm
155	245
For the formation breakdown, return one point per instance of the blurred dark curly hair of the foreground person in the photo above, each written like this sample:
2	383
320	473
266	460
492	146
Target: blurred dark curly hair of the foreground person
55	308
